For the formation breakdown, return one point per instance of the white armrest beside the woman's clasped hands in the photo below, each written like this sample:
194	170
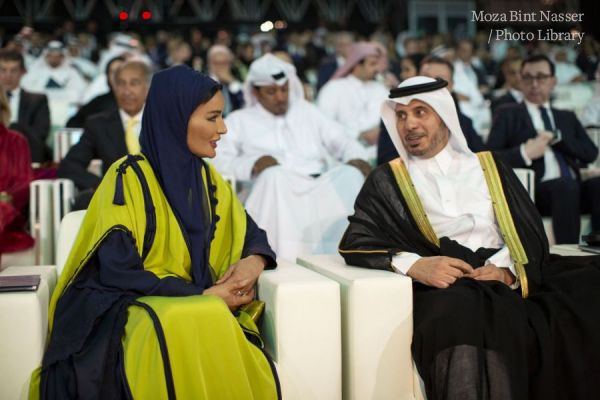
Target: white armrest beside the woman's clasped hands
301	328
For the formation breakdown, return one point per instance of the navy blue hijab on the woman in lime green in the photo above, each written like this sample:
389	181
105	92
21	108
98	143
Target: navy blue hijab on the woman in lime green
174	95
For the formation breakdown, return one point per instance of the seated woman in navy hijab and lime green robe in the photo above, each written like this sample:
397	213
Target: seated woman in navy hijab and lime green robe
152	300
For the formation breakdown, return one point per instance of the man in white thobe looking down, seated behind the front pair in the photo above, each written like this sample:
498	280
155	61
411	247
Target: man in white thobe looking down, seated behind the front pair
303	198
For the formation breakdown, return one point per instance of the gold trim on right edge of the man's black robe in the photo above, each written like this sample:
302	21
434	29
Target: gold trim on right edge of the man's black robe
504	217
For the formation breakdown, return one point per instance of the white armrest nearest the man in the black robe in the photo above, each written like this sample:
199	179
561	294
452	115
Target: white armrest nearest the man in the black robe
377	328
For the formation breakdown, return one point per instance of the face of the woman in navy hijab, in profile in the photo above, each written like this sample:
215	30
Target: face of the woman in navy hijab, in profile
206	126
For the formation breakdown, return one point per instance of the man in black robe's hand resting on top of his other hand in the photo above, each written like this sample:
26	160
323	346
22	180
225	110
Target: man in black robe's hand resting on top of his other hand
439	271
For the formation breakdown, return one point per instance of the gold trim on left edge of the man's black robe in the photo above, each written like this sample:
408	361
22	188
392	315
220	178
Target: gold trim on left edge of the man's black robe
412	199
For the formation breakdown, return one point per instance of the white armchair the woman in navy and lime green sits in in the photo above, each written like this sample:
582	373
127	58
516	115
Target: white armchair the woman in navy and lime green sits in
301	327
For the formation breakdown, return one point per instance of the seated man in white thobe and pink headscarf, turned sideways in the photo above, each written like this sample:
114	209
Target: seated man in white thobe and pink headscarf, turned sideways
351	96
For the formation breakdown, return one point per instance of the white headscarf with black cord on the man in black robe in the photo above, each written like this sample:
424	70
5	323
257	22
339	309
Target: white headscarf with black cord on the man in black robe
436	95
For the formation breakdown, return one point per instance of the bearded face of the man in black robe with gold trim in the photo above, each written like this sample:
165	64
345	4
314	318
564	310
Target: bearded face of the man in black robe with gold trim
422	131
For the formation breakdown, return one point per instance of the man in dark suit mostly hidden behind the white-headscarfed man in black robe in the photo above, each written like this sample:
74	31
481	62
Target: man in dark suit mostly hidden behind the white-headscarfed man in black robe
433	67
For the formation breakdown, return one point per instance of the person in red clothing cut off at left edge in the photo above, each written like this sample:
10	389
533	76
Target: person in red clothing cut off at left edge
15	176
